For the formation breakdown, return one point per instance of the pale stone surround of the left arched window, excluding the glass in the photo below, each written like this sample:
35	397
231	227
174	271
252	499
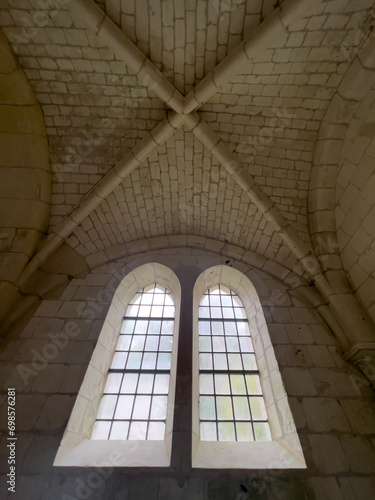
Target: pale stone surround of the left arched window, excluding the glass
76	448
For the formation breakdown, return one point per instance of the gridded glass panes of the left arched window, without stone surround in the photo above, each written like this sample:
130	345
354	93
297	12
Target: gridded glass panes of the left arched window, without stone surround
134	402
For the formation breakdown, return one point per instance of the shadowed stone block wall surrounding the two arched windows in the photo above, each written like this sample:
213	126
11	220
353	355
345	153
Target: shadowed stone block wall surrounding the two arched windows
331	402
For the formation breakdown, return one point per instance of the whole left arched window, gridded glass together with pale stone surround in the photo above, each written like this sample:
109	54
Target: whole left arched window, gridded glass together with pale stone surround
123	414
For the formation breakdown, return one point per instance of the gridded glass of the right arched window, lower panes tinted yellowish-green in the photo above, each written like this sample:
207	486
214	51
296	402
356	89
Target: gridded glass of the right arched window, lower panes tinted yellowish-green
231	402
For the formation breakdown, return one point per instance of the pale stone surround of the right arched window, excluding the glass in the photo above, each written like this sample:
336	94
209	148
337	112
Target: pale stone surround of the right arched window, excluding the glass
284	451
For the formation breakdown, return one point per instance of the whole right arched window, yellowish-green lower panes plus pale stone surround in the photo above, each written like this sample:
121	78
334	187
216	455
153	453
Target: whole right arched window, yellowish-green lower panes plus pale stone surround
241	414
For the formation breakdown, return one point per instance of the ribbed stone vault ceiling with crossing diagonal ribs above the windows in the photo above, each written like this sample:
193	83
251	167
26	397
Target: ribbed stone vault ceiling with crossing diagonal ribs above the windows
281	65
